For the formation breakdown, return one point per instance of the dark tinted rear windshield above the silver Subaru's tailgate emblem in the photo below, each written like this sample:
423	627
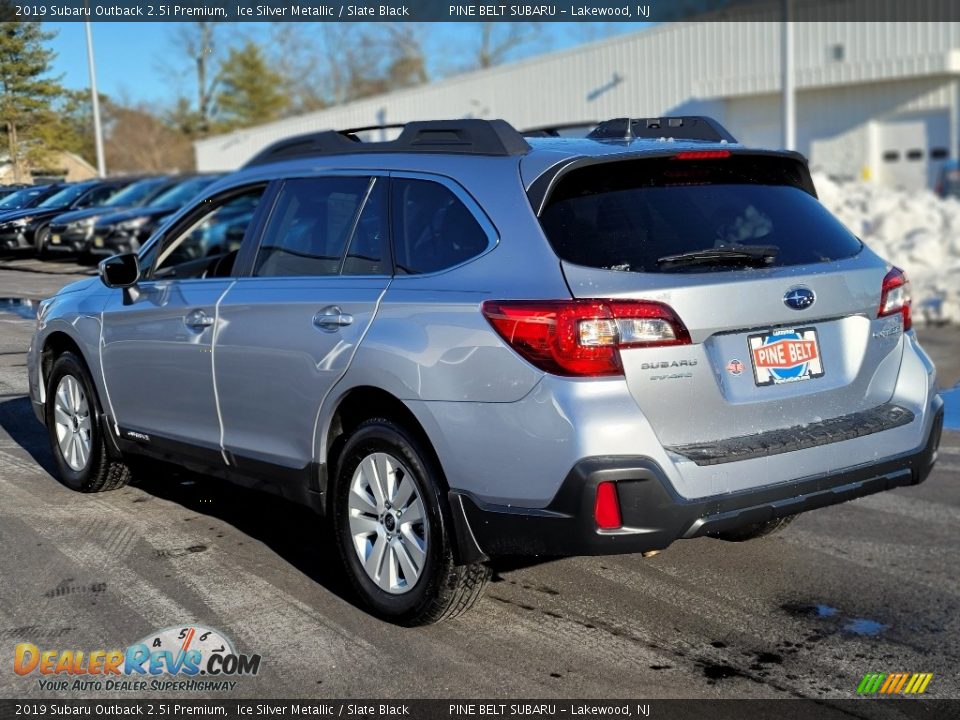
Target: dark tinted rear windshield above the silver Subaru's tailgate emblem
631	215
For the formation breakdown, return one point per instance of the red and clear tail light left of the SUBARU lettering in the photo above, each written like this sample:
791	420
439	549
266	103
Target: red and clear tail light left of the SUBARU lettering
583	337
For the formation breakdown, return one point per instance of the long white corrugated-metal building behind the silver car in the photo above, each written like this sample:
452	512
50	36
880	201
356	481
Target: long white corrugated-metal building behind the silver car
873	100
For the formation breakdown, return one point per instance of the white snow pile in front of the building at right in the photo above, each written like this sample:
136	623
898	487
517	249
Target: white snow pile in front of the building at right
915	230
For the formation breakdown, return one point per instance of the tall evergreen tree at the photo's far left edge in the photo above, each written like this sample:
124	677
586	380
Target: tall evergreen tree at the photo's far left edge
26	93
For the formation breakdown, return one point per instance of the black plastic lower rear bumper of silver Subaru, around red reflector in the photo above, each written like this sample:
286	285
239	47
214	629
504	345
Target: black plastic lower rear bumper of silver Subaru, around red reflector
654	515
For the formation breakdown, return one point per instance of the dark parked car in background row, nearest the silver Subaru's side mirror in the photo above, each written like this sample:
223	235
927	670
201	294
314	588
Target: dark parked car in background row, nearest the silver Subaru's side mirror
126	231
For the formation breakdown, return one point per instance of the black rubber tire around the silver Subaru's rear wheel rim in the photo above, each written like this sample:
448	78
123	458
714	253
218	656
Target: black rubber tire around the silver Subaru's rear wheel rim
443	589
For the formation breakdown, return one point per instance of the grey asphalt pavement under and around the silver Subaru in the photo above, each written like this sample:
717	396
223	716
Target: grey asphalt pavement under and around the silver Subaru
867	586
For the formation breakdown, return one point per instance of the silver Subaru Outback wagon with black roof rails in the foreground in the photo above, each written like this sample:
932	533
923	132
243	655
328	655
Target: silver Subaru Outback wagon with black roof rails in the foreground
465	343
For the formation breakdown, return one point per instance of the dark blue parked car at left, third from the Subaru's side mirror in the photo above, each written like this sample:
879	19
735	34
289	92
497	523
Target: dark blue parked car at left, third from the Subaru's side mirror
28	229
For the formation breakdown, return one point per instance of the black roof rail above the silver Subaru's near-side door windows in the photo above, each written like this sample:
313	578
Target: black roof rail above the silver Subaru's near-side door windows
458	137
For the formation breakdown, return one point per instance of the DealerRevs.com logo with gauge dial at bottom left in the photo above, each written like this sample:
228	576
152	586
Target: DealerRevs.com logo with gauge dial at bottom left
185	658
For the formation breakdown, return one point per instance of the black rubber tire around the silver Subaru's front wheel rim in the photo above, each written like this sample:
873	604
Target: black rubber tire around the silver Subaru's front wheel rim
101	472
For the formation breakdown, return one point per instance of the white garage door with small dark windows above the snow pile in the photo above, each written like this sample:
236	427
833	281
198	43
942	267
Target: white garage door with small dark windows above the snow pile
912	148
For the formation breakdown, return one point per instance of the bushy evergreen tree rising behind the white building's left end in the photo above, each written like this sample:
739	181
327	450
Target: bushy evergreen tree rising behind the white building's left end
251	91
